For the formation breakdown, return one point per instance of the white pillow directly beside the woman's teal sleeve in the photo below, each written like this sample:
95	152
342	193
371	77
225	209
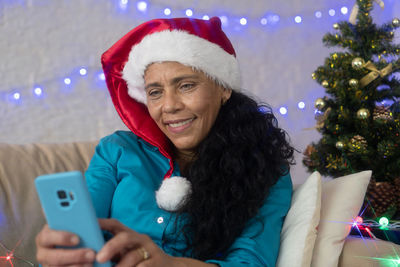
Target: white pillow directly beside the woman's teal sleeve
299	228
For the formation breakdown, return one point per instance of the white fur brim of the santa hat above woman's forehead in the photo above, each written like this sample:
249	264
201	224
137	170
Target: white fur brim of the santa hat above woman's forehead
182	47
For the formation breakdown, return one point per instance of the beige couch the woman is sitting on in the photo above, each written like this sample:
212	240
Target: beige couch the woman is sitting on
21	216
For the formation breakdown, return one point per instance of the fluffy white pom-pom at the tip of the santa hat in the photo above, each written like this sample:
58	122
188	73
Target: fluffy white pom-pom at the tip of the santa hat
173	193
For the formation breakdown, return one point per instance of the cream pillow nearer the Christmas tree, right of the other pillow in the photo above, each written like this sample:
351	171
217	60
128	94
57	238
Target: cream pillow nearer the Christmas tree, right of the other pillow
341	202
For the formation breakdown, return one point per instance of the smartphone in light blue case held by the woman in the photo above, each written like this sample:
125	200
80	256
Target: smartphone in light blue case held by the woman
67	206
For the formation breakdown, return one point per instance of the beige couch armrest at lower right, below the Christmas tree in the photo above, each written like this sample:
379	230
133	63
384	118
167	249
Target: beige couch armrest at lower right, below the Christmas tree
365	252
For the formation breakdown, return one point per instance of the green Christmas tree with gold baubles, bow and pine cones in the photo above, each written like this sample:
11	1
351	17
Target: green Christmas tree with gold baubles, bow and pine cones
359	118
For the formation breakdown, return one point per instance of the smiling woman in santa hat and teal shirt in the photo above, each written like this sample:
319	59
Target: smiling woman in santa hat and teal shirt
175	83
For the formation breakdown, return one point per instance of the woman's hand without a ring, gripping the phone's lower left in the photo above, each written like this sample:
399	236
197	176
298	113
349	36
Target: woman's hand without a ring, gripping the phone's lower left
48	255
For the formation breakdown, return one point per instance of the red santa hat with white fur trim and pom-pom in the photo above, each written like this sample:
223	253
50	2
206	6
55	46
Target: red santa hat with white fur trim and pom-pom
200	44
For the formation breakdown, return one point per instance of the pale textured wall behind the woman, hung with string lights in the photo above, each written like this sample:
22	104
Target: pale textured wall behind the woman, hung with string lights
44	41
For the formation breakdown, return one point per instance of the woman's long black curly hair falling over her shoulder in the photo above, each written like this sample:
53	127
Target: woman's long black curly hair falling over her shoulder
235	166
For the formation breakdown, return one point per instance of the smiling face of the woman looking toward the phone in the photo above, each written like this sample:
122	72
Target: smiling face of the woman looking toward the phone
184	103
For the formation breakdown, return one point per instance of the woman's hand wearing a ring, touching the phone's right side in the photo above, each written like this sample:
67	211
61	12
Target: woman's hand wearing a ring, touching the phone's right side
131	248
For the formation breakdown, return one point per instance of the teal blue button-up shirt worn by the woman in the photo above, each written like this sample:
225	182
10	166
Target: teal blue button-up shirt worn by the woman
123	176
